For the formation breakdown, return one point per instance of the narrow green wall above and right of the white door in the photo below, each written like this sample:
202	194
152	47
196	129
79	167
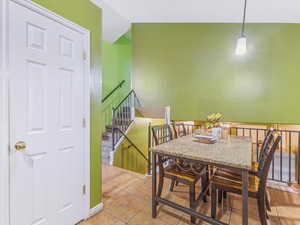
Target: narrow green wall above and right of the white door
84	13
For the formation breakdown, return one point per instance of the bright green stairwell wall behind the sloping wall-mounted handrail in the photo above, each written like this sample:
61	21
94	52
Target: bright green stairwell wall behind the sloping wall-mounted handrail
117	66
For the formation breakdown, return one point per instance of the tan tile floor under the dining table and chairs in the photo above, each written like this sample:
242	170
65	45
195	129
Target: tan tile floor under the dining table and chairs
127	201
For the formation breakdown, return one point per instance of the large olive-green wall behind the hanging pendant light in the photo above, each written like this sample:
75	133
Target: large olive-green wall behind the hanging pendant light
193	68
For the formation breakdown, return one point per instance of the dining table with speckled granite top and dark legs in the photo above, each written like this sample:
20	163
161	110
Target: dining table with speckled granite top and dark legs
232	152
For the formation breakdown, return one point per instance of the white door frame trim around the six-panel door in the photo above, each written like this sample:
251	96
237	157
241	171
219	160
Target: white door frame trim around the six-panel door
5	145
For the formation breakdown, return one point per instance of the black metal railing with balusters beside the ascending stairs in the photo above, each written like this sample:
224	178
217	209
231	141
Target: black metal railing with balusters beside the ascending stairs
123	116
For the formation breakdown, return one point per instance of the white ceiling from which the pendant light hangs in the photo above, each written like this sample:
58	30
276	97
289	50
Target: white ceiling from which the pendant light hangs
193	11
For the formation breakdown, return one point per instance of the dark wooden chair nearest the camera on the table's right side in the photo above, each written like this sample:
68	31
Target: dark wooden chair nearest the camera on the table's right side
257	181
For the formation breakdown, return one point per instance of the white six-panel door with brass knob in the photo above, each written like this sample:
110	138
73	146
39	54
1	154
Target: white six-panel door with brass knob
46	68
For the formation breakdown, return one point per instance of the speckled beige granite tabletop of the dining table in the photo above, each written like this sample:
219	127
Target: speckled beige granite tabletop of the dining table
233	151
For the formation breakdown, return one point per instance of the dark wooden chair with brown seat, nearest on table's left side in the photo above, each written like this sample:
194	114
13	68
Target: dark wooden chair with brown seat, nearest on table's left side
178	170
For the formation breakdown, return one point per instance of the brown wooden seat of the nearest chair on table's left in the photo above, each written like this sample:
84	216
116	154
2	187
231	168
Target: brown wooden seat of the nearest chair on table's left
189	176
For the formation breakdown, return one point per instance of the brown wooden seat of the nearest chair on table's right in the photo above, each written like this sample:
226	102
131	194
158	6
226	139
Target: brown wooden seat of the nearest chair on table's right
232	180
